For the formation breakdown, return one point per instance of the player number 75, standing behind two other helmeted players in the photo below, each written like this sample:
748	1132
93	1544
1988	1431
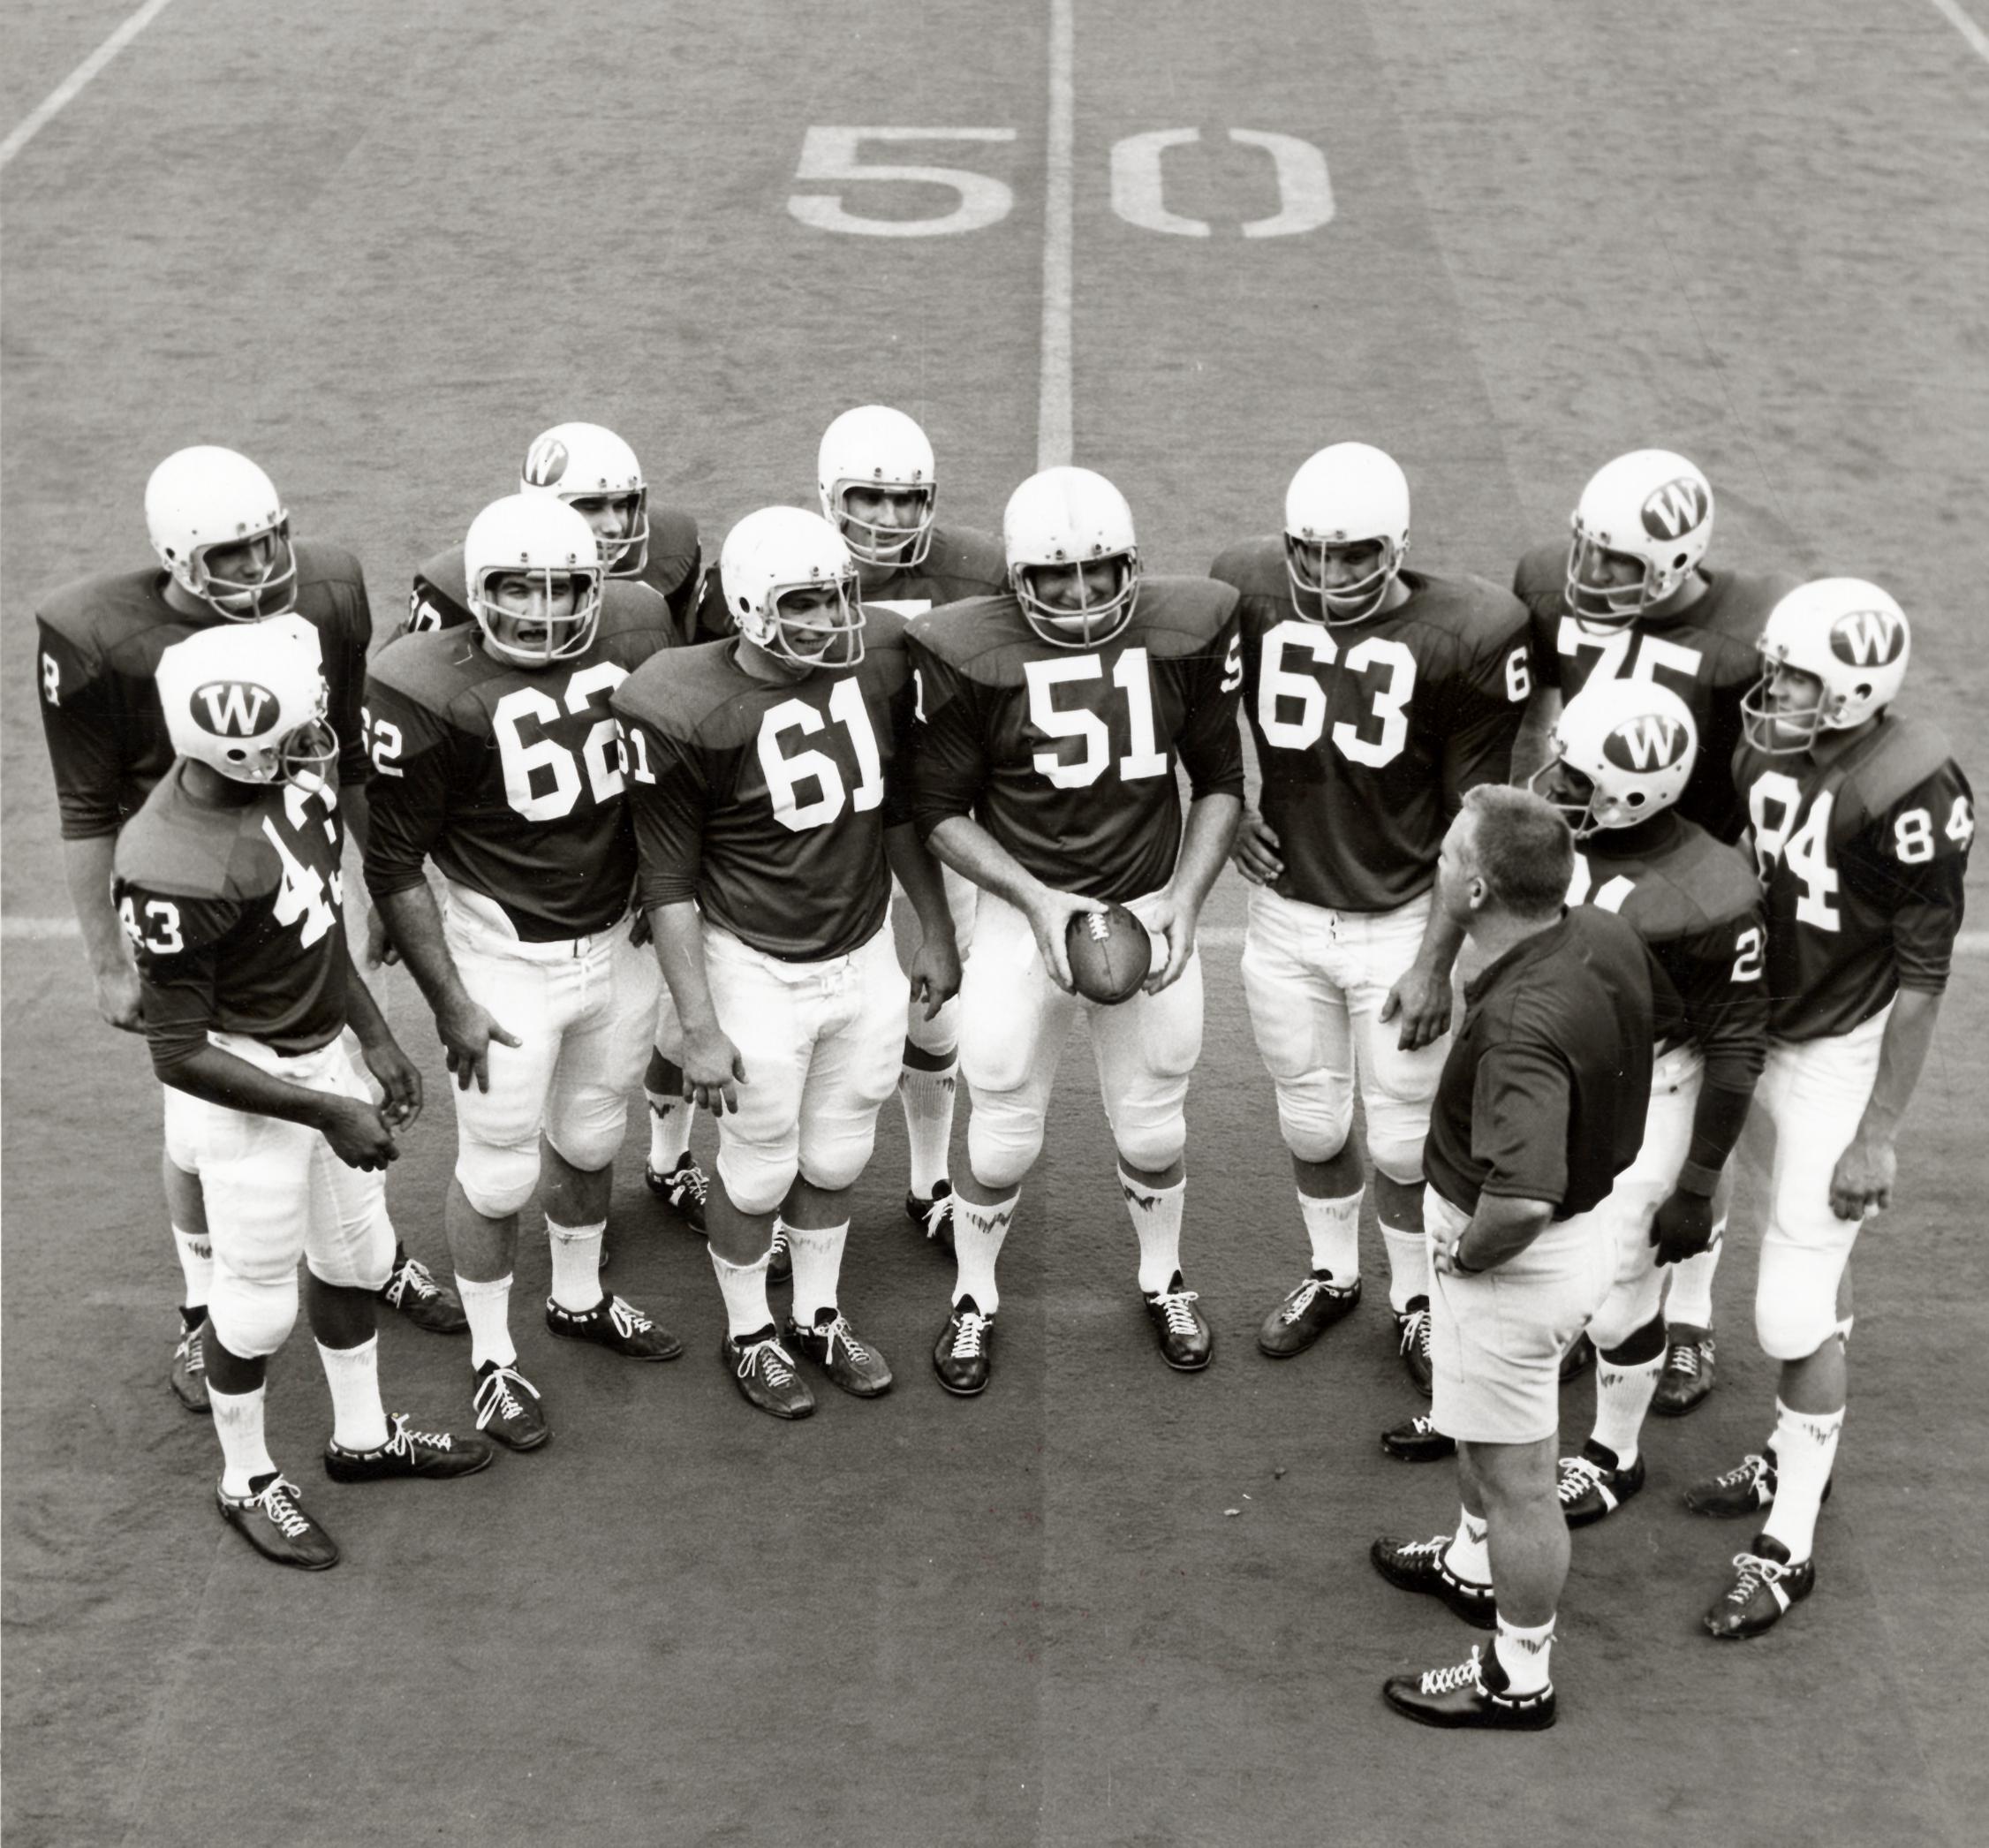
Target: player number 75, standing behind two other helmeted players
1630	598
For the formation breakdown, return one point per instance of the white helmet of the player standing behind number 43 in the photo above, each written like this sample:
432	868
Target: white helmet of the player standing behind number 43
204	498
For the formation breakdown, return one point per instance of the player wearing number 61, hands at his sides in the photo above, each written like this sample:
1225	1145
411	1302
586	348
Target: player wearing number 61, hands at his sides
771	817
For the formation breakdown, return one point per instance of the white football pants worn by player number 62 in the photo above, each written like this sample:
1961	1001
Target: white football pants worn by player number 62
584	1010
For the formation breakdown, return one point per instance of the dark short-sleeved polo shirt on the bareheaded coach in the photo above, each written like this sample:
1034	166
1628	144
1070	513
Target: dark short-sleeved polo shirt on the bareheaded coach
1548	1081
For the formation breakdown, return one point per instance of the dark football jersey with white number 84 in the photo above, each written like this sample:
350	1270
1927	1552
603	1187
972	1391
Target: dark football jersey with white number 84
1865	866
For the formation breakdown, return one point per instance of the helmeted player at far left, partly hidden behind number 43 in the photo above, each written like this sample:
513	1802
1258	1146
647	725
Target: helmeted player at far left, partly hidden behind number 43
226	558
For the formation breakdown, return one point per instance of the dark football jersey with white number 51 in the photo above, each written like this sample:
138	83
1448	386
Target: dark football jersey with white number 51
1069	755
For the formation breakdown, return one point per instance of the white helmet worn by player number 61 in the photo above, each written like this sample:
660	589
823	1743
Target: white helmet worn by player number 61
793	588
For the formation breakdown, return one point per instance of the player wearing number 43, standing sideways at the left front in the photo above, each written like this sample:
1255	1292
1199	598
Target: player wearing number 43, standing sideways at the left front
230	890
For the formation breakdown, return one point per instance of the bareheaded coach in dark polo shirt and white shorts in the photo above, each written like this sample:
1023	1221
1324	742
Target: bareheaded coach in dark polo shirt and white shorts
1540	1107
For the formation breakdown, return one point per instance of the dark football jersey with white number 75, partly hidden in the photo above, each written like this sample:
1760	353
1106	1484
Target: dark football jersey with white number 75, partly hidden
1706	655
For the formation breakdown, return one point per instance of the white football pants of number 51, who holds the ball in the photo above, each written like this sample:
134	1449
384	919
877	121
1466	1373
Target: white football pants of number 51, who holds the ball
1013	1029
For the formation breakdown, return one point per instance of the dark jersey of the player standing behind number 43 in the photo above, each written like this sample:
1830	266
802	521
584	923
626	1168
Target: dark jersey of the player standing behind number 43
100	646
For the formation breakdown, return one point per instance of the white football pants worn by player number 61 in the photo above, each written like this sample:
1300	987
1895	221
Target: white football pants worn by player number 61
822	1047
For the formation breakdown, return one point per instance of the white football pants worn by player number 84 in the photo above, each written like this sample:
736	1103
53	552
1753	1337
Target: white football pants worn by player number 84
1807	1111
